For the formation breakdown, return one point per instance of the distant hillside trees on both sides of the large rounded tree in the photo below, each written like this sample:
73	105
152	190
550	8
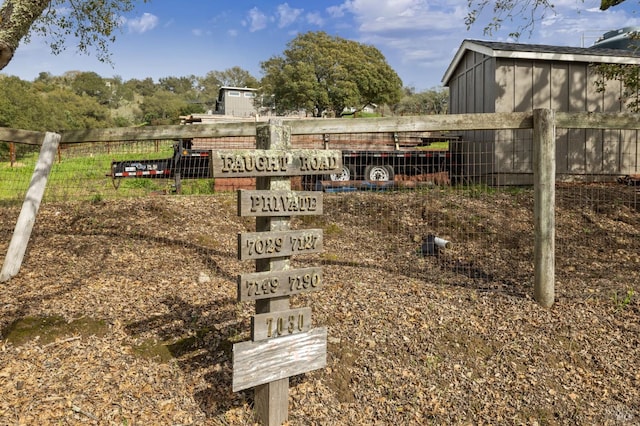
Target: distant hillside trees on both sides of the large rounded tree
82	100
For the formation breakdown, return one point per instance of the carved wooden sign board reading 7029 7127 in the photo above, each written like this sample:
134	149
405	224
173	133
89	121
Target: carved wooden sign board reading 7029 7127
263	245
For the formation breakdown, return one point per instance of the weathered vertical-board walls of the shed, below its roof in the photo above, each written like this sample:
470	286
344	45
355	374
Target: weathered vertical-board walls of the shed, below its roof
522	85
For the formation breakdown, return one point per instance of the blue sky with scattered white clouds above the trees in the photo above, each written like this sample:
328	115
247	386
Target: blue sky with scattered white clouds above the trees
165	38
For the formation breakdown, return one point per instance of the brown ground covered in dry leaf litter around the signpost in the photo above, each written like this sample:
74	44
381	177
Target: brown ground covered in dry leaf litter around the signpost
125	312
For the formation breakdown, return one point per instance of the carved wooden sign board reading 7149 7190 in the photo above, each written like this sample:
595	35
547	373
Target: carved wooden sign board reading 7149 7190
265	285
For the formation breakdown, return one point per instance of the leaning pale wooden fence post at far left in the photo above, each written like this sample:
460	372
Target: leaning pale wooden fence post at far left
30	206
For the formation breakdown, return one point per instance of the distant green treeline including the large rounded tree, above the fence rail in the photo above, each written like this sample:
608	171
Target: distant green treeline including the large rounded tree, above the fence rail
317	74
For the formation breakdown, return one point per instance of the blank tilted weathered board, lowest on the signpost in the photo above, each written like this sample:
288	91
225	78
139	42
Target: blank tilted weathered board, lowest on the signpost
257	363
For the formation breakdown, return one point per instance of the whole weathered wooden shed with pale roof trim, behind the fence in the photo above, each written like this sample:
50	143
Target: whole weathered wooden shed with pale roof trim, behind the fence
488	77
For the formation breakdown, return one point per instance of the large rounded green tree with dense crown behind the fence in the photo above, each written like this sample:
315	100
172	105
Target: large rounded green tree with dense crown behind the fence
320	73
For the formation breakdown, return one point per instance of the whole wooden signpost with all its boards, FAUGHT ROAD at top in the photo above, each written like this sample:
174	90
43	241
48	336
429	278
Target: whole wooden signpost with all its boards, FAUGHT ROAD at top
282	344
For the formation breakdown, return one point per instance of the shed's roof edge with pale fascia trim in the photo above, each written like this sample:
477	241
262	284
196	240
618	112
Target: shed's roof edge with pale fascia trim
541	52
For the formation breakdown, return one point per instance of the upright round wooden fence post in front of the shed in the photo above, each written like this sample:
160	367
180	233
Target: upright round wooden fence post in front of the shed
544	170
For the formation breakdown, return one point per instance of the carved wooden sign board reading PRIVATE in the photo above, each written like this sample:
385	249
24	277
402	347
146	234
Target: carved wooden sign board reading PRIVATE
279	203
